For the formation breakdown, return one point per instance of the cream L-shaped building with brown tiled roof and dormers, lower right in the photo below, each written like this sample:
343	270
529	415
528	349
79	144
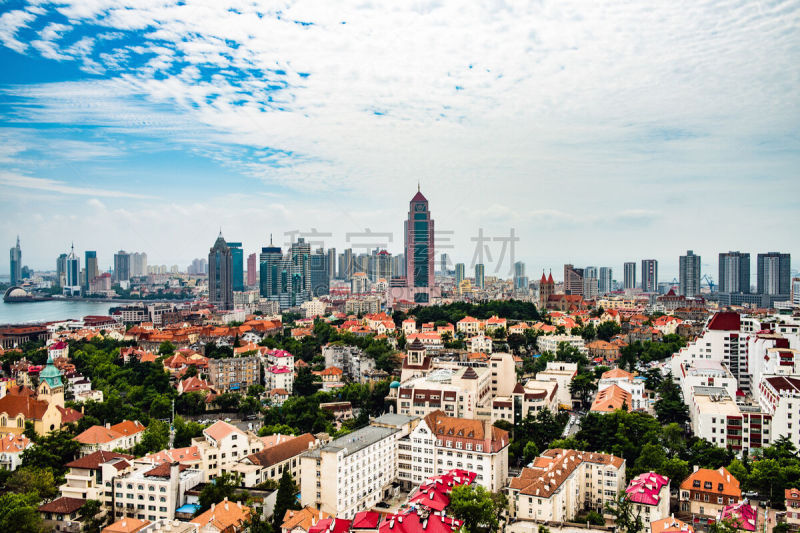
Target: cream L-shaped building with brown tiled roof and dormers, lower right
559	484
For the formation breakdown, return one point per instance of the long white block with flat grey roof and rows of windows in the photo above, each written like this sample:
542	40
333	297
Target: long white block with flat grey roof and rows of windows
351	473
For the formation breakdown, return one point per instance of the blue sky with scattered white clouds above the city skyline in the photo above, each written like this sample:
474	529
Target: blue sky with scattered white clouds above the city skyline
598	132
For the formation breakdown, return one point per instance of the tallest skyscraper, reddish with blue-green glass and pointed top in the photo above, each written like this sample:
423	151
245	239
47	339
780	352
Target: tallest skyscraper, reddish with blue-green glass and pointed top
419	248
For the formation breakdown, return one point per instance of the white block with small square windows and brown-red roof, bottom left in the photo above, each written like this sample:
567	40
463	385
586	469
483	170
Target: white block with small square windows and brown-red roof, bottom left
153	492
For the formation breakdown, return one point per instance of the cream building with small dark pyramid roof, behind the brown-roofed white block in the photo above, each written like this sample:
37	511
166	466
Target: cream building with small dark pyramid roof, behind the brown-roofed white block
465	392
